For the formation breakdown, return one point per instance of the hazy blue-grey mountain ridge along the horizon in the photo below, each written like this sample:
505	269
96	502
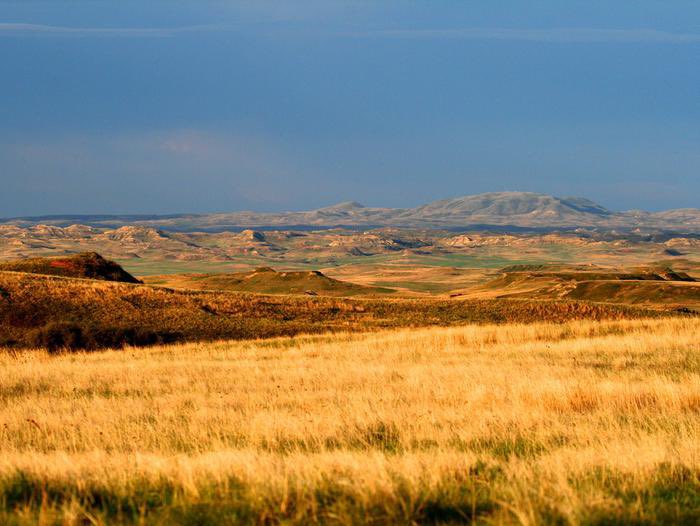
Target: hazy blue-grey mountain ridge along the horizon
517	209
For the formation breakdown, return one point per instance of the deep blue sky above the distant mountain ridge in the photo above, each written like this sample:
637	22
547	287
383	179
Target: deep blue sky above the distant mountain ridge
212	106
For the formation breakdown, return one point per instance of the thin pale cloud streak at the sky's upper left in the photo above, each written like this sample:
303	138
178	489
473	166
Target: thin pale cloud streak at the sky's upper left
21	29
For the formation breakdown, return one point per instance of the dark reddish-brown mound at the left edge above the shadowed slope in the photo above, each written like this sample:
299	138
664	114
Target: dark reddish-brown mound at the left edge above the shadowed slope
89	265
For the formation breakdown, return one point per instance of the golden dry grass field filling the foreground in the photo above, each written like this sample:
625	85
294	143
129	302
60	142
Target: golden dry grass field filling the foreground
580	422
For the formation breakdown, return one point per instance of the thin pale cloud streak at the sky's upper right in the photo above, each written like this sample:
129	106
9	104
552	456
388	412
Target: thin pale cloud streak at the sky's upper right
556	35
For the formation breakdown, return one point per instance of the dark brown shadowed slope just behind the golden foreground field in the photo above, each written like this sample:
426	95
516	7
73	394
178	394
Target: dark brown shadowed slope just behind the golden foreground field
56	312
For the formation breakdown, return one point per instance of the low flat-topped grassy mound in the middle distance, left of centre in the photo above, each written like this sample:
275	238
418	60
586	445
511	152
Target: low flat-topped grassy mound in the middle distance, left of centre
268	281
